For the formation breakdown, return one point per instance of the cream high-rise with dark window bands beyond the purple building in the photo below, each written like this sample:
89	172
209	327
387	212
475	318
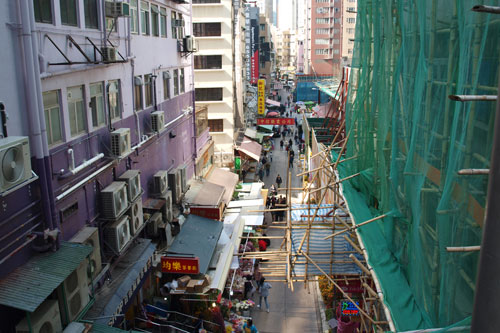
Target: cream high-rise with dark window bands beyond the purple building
215	65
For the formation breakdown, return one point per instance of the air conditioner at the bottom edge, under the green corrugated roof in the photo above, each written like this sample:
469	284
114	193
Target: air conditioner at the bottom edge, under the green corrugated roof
46	318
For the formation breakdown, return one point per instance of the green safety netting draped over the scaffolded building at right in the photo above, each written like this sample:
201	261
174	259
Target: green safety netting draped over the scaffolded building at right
410	140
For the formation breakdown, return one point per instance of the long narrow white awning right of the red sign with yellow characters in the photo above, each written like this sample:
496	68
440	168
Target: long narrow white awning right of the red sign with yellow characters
222	258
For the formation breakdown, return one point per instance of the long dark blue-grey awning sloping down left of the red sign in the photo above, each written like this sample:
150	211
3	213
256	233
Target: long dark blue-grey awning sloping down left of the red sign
131	269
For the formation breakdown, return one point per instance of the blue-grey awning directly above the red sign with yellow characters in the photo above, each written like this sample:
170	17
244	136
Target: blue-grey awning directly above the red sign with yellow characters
198	237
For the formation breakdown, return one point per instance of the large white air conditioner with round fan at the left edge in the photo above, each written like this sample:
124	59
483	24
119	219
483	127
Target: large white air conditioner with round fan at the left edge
15	161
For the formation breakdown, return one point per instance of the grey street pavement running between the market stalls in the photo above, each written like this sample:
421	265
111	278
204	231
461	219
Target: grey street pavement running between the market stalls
289	311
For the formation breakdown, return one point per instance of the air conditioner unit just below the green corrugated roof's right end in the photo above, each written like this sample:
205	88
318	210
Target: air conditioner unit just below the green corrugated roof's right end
76	290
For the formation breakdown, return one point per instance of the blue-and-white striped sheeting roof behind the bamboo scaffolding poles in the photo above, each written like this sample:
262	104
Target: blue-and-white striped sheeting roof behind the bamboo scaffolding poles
316	243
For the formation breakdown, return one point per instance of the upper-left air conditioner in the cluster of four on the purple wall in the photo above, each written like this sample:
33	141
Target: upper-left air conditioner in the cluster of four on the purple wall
114	200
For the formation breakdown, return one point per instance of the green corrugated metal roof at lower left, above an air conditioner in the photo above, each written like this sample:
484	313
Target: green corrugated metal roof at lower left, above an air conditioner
29	285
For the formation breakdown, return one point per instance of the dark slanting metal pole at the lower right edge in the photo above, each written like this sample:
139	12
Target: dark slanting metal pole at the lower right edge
486	301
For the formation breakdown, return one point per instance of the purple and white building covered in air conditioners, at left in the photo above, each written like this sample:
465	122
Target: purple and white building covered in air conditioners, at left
96	93
